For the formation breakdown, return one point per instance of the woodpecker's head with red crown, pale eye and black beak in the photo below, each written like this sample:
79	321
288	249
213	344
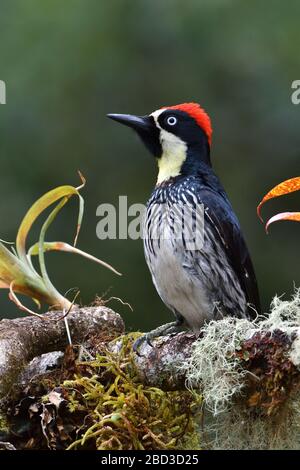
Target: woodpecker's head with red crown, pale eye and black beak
178	136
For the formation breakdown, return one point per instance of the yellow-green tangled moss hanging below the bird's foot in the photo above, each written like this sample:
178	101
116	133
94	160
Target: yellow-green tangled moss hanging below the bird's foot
122	413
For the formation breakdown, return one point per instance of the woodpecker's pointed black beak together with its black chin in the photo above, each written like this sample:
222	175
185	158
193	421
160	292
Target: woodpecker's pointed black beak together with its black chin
145	127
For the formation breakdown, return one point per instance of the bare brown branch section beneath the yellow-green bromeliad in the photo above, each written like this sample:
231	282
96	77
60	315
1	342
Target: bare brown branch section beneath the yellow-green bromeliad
23	339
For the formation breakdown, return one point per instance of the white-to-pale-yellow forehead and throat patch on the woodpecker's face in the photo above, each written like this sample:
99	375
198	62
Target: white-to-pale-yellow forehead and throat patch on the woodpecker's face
174	152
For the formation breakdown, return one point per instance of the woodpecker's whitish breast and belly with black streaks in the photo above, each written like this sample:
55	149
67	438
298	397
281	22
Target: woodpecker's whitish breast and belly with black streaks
200	283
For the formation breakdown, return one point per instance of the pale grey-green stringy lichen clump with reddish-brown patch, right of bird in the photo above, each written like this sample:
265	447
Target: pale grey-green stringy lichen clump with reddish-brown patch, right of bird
248	373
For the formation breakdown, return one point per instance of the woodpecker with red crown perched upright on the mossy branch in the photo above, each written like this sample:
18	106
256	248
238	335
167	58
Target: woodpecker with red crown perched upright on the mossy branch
205	272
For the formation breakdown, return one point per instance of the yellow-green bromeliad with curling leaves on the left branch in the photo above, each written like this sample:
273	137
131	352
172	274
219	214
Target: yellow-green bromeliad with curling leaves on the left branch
17	272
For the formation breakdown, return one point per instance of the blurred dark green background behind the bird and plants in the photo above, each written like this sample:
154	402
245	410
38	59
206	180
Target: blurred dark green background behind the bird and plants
67	64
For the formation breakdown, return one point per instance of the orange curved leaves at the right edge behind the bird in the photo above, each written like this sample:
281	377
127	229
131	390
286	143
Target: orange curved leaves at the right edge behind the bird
281	189
